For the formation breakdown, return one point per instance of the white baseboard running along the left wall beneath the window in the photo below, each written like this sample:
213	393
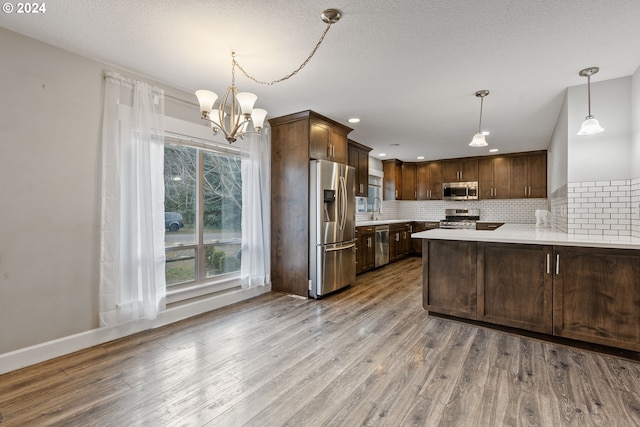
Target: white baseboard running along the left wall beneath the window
51	349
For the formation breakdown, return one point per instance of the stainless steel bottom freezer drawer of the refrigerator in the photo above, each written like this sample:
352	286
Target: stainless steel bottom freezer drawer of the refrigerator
333	268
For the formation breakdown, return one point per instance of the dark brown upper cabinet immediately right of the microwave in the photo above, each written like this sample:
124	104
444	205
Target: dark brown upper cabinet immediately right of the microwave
494	177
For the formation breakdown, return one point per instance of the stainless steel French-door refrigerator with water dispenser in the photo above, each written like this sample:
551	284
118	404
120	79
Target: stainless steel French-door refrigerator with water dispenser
332	216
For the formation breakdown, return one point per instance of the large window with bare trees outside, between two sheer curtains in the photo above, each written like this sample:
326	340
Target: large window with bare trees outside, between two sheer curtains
203	214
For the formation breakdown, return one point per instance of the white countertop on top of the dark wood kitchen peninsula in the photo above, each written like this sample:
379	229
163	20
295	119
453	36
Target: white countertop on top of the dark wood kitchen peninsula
530	234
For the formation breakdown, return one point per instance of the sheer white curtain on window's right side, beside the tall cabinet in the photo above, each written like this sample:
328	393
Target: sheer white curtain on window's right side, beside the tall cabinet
256	210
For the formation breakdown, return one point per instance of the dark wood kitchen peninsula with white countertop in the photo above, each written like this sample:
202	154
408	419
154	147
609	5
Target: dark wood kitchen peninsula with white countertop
585	288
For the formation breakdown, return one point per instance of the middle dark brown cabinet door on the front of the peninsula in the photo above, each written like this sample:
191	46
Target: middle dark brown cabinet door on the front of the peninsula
515	286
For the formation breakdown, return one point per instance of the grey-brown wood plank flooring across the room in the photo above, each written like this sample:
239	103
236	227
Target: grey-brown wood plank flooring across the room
369	355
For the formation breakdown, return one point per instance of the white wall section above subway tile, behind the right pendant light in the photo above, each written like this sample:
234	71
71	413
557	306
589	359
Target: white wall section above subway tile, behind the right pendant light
607	155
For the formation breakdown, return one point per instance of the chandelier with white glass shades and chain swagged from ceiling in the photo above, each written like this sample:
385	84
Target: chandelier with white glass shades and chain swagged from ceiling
235	114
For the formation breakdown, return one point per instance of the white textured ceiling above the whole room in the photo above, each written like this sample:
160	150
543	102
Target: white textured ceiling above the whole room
408	69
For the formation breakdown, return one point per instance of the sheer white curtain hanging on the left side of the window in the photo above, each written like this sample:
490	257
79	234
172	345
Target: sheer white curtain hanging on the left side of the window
132	281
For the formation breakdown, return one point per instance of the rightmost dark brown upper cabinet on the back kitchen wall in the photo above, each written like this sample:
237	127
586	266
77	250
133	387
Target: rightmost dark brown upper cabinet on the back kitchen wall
529	175
